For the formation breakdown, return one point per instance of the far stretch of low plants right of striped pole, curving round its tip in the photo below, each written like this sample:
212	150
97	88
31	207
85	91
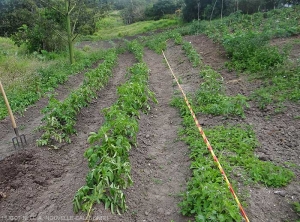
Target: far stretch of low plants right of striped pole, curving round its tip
210	98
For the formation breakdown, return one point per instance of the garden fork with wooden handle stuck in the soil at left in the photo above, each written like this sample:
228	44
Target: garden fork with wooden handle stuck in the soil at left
19	139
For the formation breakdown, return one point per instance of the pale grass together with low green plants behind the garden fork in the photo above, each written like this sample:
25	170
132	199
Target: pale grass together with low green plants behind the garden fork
26	78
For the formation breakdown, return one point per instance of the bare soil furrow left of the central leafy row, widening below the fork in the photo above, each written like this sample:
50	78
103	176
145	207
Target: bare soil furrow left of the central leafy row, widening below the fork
43	182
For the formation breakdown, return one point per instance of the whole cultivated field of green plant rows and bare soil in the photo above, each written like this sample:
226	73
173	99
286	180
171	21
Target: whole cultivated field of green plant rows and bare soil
119	133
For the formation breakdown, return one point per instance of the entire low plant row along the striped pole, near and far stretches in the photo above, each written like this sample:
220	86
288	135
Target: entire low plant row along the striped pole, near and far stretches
207	197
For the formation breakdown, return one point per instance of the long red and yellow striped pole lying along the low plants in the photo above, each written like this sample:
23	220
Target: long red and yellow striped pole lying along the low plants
208	144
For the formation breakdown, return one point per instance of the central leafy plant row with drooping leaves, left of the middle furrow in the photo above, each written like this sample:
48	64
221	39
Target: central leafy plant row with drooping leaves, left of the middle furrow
108	154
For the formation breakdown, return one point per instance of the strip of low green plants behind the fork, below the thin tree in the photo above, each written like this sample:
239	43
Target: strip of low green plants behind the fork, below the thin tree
46	80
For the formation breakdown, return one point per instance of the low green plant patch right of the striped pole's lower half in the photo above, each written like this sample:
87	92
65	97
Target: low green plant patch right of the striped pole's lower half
237	144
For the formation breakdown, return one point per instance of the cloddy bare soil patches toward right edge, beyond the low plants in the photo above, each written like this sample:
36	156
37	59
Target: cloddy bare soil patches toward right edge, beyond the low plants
278	135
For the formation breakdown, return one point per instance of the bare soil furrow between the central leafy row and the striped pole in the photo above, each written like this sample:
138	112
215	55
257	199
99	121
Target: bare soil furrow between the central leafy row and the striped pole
160	164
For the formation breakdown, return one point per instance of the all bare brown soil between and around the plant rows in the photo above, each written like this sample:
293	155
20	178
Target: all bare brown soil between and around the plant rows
40	183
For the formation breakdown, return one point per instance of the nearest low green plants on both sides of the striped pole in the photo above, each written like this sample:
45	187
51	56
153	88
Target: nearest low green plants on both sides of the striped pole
207	197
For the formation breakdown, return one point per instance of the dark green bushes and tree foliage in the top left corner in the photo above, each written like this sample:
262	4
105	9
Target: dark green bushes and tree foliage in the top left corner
46	25
